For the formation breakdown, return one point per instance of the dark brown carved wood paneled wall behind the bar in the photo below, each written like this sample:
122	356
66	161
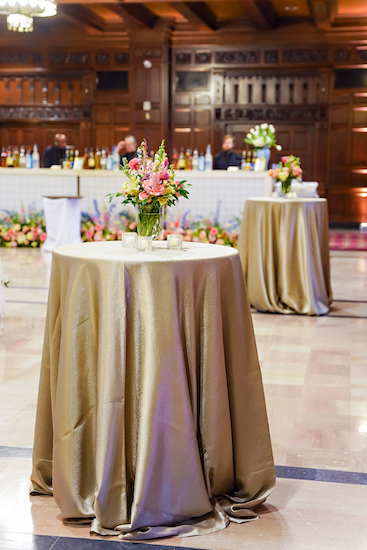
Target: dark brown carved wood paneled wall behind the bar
197	94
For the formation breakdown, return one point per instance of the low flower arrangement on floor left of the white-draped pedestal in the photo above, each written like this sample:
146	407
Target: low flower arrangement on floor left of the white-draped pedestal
22	230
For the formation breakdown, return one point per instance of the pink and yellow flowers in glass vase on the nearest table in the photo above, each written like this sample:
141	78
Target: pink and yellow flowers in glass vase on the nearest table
151	185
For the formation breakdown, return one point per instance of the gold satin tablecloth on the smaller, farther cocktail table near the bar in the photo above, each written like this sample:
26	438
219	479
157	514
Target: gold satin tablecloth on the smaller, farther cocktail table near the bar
284	248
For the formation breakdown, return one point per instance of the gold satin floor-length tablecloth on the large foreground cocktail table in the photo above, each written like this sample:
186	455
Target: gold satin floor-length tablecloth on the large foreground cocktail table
151	418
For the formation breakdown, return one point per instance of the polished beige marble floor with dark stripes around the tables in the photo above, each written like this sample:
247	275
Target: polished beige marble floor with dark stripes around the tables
315	379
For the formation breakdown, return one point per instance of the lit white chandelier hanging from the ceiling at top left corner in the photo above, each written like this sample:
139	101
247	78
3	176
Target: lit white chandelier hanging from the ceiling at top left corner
21	12
